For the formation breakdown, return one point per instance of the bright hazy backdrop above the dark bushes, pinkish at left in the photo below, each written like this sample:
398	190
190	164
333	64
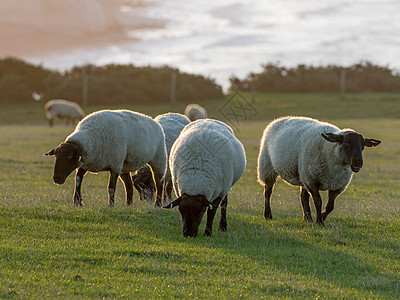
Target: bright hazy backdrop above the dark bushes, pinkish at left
217	39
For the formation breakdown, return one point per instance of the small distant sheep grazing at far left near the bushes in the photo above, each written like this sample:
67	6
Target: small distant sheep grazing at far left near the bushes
63	109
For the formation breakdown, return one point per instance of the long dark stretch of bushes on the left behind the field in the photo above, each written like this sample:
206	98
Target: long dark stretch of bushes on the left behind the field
109	84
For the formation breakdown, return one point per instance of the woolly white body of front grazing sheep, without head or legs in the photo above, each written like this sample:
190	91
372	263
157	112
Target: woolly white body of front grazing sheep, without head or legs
206	159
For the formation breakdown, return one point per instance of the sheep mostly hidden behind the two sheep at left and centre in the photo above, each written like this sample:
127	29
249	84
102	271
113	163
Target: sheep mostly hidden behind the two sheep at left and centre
172	124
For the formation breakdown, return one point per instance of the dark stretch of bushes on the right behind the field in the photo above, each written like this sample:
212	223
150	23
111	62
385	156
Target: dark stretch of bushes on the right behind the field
360	77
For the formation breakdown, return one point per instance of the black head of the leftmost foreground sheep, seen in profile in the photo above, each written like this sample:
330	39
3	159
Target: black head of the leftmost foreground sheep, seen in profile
68	158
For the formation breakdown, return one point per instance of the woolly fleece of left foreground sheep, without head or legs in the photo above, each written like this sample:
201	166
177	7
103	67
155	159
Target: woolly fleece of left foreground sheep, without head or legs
119	140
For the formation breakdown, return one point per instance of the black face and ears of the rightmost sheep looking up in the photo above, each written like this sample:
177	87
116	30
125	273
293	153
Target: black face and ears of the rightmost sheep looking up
351	145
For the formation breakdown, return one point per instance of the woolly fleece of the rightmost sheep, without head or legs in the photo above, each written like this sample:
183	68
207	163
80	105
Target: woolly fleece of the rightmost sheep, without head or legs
293	148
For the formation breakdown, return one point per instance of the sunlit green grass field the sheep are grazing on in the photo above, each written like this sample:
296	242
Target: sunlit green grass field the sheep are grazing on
49	248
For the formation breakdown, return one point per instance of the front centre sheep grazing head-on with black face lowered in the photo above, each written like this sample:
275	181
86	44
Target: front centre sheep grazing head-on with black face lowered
205	161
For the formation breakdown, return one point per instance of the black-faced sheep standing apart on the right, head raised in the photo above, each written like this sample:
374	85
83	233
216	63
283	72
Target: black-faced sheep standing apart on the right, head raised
314	155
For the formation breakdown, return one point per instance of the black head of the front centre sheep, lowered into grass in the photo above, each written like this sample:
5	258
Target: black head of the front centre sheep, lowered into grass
192	209
